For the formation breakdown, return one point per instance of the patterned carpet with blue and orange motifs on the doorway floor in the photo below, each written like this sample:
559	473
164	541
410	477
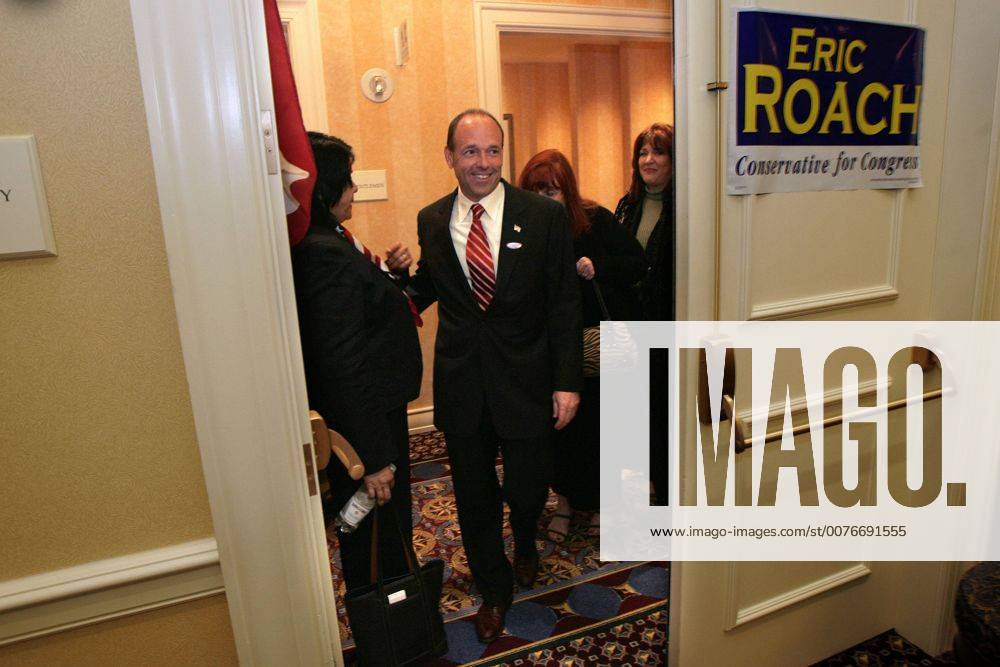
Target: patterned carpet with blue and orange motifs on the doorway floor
581	610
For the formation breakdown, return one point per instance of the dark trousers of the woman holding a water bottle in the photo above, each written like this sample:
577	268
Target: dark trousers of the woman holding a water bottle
355	548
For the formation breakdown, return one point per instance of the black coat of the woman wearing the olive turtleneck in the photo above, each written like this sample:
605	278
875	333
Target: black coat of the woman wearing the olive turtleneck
657	288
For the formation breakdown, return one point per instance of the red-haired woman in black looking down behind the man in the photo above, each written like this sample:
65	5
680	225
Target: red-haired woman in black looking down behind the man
609	263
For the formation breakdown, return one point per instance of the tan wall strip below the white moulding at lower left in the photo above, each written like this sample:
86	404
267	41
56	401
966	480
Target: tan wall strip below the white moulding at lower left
193	634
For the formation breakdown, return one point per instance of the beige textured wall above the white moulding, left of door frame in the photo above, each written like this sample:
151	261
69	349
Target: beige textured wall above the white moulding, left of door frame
99	456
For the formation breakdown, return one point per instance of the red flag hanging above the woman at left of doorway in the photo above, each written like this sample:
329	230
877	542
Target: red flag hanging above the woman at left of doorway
298	169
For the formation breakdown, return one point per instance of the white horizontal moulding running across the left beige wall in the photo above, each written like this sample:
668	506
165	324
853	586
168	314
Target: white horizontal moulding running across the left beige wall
84	594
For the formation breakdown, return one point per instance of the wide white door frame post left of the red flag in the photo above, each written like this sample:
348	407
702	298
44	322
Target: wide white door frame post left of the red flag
206	81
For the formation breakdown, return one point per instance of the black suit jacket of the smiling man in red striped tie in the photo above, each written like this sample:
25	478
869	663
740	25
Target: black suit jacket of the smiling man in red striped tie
527	344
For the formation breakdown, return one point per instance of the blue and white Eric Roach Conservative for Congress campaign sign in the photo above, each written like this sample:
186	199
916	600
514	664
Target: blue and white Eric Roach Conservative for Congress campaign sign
822	103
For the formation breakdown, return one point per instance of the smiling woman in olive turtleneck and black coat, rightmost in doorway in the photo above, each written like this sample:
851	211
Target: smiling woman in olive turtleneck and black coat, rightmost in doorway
647	211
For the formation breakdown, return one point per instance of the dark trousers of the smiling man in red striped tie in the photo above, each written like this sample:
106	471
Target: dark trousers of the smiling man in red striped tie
480	498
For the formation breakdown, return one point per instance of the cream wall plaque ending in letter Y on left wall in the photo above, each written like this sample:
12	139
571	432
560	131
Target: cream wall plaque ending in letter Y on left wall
25	230
